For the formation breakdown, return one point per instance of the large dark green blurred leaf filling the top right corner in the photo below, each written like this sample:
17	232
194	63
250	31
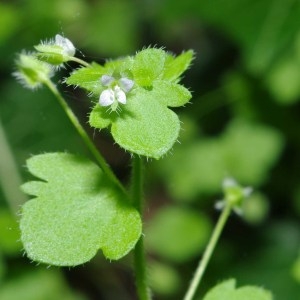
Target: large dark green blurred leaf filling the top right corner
262	29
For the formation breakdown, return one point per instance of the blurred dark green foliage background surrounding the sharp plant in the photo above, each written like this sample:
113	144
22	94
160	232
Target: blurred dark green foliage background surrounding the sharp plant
243	121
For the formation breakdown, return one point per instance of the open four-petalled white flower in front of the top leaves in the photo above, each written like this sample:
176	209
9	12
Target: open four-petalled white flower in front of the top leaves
116	91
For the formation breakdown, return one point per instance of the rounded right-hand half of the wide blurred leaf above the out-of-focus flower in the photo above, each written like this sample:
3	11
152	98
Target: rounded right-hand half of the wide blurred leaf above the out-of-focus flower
250	150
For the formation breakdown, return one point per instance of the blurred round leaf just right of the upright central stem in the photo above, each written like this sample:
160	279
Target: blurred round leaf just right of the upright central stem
177	234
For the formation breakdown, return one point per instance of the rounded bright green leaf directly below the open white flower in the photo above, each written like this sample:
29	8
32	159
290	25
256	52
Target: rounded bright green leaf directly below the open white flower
146	127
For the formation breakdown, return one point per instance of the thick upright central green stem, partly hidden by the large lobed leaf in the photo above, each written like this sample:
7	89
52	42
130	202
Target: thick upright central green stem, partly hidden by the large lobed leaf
139	251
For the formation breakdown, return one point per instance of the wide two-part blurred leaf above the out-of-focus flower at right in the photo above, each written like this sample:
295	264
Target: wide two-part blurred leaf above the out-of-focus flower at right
245	151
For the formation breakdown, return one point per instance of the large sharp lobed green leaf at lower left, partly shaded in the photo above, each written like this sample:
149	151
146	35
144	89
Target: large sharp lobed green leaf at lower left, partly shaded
76	212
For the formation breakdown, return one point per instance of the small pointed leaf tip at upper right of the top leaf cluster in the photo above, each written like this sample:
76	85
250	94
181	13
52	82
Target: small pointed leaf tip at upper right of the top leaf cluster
175	66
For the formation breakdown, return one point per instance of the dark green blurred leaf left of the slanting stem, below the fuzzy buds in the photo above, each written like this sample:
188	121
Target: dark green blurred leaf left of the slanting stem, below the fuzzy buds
34	121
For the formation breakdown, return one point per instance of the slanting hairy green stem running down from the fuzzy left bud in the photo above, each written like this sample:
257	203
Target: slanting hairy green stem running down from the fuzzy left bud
87	140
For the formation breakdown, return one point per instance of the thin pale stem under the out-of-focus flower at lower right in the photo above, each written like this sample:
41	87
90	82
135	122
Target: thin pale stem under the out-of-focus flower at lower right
208	253
